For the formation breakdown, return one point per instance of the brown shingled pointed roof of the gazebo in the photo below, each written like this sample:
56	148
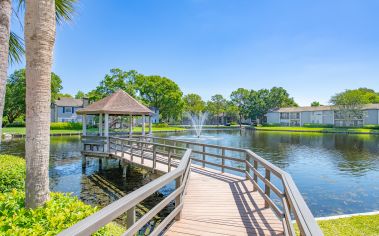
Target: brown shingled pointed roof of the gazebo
118	103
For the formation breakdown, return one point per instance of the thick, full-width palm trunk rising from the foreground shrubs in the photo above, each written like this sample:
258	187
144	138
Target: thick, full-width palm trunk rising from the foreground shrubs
39	42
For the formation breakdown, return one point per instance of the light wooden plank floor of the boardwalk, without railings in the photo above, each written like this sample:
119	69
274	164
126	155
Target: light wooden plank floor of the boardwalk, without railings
215	203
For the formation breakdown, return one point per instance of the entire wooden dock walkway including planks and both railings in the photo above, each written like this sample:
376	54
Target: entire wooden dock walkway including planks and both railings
207	201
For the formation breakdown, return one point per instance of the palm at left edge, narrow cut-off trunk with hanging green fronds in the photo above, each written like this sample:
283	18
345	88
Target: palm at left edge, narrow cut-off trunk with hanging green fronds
12	45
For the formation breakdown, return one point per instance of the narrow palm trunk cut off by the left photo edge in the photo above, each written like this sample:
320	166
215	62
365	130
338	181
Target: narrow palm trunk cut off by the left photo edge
5	25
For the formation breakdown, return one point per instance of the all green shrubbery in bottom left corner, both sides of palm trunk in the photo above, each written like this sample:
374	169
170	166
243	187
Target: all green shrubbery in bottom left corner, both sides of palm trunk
59	213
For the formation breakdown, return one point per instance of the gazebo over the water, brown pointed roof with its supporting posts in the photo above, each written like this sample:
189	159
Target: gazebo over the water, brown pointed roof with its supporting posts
117	104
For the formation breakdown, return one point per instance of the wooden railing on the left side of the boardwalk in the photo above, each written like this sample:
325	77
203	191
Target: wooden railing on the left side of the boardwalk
128	203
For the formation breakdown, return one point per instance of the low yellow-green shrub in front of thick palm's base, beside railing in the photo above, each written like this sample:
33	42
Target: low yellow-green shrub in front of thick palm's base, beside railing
61	212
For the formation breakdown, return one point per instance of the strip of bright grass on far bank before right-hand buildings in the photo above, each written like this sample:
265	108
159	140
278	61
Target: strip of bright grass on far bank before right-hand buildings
319	130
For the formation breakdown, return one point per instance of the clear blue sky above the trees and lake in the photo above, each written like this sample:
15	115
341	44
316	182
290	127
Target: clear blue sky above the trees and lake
311	48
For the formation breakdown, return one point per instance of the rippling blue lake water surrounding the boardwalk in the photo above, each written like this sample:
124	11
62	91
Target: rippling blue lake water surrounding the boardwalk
336	173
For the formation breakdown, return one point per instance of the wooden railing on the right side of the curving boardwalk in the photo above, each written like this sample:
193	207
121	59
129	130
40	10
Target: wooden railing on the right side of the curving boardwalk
256	169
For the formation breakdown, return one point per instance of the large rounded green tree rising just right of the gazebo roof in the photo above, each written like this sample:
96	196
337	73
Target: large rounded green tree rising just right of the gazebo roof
162	93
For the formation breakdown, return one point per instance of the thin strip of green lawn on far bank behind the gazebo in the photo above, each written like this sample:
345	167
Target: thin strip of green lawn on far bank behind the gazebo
21	130
